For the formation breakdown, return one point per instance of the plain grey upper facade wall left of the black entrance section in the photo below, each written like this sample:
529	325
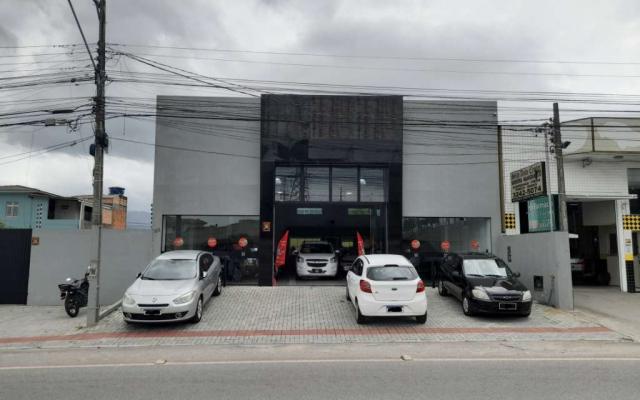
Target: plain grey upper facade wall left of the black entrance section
222	177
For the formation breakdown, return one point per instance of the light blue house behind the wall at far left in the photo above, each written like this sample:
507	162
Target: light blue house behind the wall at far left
28	208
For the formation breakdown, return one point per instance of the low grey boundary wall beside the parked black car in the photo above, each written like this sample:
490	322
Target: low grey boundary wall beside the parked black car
544	254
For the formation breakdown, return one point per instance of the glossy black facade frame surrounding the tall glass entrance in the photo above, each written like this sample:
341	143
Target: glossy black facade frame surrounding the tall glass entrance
329	130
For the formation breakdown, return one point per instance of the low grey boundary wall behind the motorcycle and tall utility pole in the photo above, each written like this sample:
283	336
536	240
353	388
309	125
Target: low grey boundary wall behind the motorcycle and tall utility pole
67	253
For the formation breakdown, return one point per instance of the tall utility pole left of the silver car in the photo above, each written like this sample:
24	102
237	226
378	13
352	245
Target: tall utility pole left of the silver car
93	314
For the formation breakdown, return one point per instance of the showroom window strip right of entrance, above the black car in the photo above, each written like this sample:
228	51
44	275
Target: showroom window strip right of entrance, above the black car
459	231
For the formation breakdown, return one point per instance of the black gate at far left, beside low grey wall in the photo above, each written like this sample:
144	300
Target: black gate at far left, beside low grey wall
15	253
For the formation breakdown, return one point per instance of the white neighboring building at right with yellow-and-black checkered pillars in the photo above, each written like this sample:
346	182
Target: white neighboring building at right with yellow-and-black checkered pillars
602	180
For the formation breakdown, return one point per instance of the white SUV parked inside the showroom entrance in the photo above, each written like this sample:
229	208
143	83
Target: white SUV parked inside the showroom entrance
316	259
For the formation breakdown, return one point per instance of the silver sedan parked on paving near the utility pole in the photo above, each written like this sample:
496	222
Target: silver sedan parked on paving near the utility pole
174	287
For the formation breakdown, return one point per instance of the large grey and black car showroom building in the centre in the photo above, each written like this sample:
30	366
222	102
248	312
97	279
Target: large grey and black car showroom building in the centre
236	174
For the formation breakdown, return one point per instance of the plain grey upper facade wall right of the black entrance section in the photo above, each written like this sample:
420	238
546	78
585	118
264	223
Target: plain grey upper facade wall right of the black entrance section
451	171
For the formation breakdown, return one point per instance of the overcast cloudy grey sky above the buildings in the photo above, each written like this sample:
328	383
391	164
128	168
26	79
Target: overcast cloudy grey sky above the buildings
515	47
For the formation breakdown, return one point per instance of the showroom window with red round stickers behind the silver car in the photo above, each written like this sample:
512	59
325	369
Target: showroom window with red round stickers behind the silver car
222	235
